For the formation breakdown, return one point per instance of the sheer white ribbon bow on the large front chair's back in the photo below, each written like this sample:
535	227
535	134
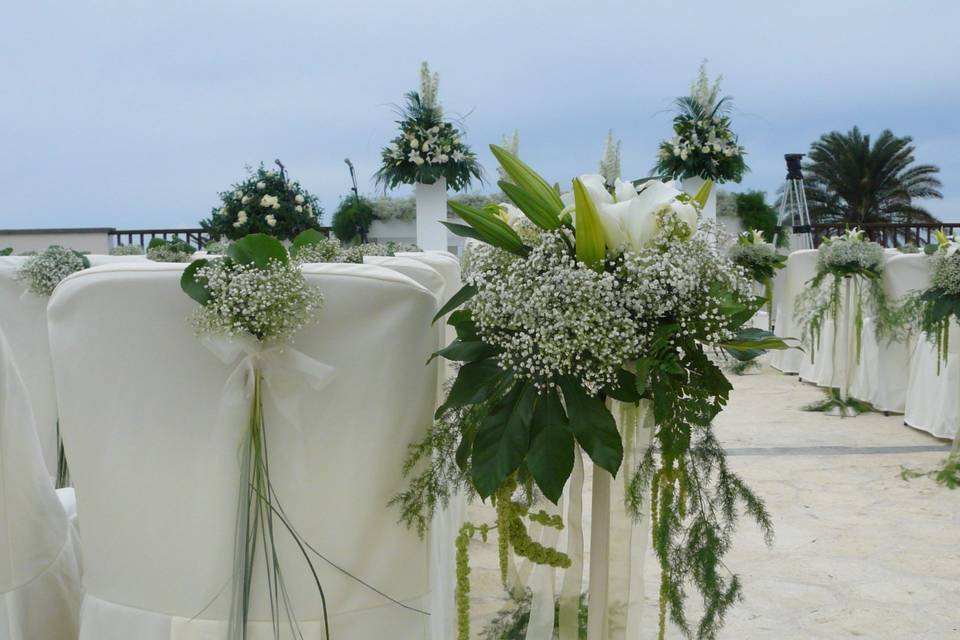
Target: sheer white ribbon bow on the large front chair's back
285	372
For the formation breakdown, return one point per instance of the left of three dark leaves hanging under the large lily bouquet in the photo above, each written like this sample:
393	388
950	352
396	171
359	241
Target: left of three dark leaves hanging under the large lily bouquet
503	439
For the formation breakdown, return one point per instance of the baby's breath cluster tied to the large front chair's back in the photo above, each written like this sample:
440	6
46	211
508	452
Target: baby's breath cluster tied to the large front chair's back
270	304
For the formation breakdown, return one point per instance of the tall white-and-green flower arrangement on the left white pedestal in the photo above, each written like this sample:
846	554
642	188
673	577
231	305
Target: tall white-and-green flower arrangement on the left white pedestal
428	147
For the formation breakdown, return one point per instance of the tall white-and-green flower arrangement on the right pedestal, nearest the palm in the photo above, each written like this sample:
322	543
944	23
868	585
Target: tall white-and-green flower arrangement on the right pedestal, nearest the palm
703	144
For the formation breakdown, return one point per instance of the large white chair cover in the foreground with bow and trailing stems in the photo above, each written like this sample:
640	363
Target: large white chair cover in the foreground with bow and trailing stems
154	455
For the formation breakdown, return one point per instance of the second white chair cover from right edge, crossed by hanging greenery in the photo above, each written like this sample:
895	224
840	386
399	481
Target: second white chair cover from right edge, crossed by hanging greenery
879	377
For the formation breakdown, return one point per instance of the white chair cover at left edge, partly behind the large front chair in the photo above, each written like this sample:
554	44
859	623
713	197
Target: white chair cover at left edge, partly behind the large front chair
23	317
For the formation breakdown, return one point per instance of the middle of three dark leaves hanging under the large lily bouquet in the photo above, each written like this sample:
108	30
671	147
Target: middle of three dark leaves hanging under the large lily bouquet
550	459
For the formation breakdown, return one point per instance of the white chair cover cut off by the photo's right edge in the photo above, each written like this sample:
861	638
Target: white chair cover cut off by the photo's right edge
933	401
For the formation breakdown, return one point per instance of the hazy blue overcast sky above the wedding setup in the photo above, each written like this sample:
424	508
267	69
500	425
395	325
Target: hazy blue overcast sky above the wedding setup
136	114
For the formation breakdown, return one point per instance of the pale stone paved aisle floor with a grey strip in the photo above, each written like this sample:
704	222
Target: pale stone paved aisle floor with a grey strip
859	553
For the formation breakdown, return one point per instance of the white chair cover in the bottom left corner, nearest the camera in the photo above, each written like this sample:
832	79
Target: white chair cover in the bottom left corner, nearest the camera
39	566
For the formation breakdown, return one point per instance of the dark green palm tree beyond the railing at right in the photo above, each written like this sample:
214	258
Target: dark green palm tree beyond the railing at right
849	180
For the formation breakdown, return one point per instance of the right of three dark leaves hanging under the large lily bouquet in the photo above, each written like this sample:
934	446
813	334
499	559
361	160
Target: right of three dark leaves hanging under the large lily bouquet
593	425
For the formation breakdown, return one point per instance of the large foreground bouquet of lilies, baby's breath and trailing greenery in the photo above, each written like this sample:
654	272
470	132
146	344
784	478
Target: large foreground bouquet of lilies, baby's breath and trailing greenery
579	305
